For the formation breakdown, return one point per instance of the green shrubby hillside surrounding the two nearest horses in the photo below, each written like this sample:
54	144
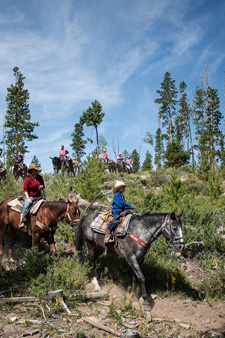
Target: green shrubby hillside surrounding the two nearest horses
157	191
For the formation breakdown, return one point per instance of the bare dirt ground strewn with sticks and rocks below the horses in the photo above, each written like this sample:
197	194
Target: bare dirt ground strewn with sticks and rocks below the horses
171	316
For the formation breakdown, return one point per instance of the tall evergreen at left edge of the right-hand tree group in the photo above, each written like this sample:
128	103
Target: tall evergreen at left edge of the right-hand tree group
167	101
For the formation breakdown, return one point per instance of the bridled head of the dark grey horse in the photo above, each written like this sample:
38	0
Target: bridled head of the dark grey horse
172	230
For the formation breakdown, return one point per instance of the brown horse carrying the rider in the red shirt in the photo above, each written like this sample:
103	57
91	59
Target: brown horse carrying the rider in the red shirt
42	225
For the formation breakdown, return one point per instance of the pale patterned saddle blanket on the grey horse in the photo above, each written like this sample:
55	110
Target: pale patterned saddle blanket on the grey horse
100	226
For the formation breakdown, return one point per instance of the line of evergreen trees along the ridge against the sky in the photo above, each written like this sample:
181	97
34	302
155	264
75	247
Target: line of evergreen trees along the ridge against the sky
190	130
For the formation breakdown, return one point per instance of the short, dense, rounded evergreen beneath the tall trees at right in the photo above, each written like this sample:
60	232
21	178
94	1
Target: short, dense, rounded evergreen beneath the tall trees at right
175	156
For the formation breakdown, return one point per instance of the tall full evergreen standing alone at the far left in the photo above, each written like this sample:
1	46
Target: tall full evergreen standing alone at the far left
18	119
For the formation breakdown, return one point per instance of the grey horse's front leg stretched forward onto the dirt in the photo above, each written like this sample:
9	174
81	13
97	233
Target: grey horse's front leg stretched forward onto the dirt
148	301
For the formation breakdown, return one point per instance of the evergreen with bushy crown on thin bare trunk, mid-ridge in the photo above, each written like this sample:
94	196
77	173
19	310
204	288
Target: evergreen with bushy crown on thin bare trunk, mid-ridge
93	116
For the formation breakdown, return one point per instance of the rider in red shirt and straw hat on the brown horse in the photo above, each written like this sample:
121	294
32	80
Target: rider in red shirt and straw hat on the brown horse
33	183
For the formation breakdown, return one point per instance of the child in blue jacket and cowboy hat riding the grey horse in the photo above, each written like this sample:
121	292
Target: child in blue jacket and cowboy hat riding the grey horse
118	205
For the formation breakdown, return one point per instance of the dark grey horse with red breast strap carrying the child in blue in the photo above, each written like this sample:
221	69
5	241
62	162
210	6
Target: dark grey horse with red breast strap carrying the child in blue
142	231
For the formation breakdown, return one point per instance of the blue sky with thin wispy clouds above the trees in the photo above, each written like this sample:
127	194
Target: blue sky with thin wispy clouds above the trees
73	52
